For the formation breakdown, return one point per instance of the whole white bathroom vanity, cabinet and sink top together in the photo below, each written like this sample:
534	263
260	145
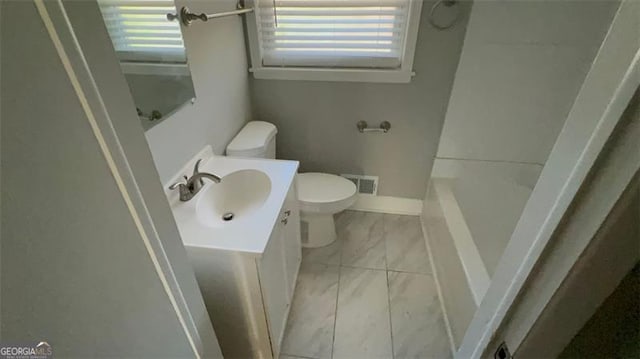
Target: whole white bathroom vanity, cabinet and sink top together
246	267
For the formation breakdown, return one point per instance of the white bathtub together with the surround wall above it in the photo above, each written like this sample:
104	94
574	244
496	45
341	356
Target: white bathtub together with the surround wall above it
513	89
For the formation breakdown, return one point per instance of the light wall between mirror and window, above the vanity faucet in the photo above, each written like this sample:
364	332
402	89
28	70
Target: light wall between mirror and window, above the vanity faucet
218	62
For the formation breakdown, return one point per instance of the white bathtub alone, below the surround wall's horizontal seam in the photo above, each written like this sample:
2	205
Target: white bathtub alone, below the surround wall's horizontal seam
468	223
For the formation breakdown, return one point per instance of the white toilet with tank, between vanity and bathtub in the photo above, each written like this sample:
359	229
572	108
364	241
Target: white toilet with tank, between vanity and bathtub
320	195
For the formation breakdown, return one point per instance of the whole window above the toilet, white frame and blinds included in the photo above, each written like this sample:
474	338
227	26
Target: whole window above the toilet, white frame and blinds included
334	40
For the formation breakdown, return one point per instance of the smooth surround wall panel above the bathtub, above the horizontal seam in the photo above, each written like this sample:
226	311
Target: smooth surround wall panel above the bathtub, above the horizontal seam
520	70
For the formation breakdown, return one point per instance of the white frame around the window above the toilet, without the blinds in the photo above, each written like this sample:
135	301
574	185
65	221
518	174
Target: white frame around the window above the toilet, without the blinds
403	74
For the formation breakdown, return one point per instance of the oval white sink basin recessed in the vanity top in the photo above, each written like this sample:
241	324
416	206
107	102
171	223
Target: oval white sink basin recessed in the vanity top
239	195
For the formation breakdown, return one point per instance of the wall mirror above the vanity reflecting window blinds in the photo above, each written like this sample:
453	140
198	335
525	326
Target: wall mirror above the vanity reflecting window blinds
152	56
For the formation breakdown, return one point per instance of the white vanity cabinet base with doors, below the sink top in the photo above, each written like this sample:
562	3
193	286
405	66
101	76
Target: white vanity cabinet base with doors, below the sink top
248	295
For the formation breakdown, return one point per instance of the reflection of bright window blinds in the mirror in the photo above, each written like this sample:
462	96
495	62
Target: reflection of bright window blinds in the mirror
140	31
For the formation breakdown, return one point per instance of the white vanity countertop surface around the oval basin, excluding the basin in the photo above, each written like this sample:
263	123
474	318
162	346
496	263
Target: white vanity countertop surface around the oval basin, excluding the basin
249	235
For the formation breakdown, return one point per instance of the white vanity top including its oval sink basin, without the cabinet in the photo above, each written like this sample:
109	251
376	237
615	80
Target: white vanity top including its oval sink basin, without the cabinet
253	189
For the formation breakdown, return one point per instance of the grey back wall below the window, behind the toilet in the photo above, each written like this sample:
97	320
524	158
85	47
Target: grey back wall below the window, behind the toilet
317	120
